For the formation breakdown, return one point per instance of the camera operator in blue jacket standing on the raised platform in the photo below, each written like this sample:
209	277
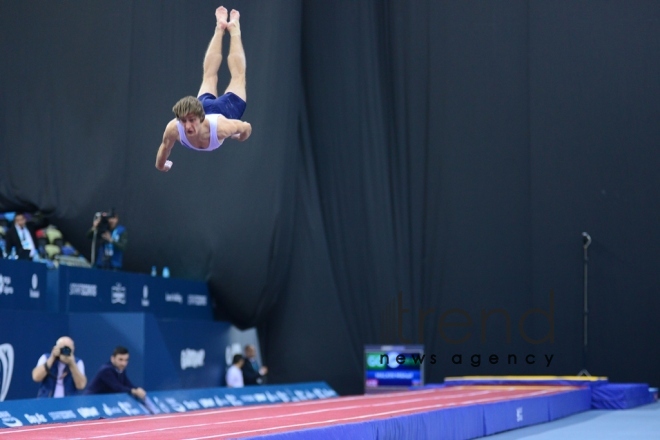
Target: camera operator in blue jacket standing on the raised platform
110	240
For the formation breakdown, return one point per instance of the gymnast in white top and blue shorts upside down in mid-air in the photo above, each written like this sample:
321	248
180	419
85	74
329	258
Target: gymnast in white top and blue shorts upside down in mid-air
203	123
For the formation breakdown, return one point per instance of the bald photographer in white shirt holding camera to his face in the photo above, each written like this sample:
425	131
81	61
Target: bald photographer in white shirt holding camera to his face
59	373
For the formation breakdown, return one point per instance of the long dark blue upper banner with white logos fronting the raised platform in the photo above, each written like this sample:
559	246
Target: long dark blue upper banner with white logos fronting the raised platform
25	285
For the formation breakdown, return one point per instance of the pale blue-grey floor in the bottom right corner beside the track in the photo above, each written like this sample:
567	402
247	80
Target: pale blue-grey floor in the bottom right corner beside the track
631	424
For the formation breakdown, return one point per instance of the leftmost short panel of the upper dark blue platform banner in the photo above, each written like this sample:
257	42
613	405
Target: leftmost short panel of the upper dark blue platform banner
23	285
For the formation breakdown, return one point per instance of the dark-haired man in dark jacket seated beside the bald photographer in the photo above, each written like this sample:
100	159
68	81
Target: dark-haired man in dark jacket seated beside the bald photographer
112	379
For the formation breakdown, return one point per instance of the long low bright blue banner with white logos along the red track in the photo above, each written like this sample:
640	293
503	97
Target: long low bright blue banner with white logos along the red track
78	408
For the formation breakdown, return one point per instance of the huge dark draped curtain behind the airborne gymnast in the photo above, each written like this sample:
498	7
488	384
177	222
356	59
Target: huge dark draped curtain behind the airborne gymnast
413	165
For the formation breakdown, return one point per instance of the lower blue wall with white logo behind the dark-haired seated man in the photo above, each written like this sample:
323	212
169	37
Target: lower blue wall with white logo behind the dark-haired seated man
164	354
